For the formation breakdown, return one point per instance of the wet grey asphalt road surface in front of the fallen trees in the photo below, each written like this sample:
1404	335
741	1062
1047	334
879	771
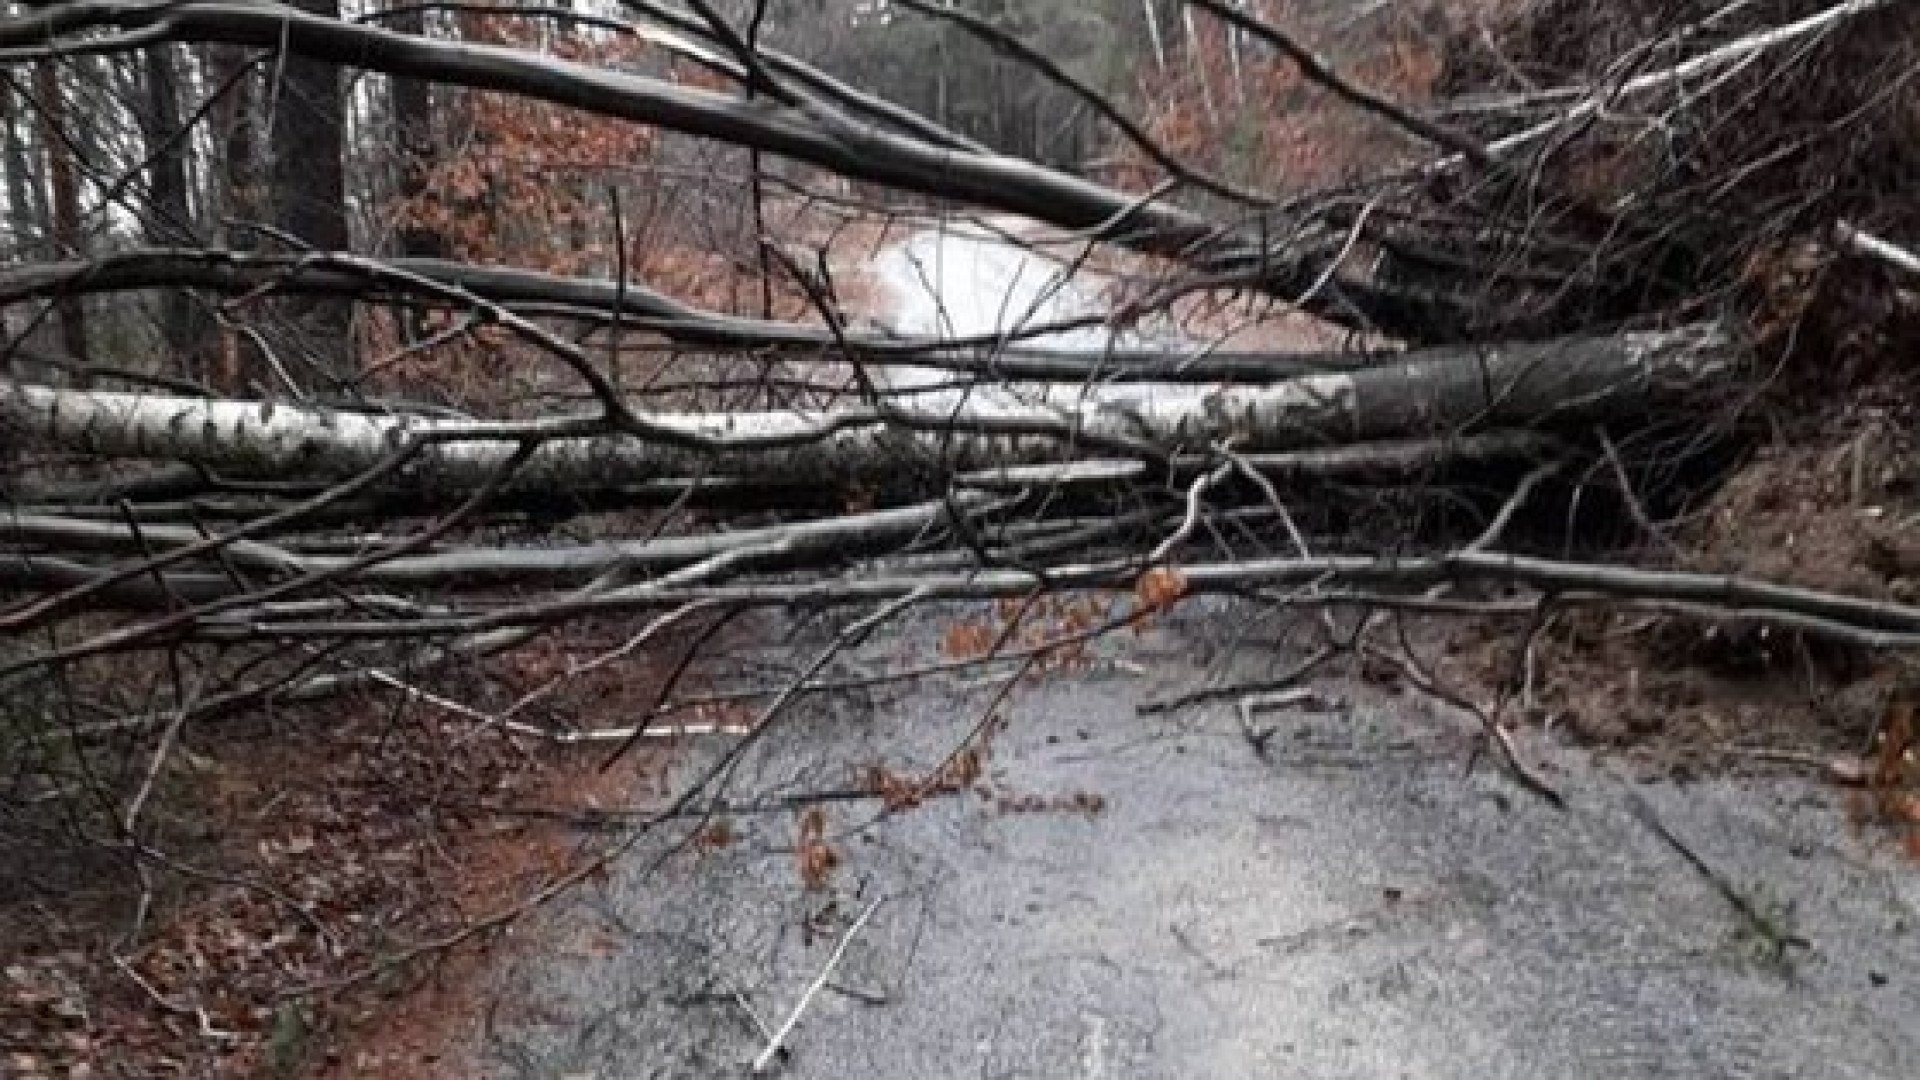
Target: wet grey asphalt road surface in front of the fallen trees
1353	902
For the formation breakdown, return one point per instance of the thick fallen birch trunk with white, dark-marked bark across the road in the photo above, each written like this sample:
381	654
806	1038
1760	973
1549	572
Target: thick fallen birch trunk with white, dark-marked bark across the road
1520	385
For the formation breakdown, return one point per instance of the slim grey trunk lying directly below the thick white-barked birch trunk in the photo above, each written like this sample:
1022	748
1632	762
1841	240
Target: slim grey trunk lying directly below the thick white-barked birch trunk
49	547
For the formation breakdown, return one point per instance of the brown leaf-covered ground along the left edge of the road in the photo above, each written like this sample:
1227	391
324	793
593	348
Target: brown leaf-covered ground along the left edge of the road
339	877
